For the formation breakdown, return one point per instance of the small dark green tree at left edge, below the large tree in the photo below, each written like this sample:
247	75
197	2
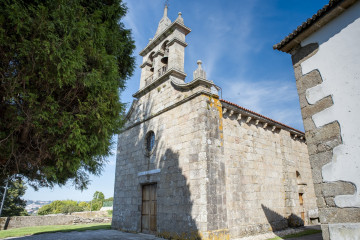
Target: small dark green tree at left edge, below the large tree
13	204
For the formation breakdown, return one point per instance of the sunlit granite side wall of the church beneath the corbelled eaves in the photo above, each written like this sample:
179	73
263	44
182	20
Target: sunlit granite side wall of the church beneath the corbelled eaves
261	183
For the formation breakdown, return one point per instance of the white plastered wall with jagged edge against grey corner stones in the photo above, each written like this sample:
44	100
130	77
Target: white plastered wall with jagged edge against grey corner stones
338	61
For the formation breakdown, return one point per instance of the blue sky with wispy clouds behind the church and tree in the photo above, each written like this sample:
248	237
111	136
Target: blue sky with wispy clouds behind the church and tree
234	40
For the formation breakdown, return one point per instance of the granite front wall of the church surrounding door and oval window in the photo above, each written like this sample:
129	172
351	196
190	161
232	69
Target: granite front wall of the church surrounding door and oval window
189	178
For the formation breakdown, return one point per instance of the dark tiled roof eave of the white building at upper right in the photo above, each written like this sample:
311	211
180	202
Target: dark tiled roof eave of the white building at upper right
331	10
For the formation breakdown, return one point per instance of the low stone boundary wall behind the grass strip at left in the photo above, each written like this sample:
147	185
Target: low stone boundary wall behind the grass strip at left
30	221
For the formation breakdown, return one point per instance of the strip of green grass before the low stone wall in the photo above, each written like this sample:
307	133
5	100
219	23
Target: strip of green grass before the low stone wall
18	232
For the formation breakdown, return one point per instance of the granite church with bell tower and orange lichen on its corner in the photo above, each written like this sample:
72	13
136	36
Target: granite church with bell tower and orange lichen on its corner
193	166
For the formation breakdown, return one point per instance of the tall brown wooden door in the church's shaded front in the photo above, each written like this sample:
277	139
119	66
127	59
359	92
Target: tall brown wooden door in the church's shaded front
148	211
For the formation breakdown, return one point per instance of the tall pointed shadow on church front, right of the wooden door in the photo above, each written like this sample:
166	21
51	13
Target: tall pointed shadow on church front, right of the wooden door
174	201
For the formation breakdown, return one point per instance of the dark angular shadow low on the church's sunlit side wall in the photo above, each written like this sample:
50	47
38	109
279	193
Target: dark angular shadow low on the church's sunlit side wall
278	222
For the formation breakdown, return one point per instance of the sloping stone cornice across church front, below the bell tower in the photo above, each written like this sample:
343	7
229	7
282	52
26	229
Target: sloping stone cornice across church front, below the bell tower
202	92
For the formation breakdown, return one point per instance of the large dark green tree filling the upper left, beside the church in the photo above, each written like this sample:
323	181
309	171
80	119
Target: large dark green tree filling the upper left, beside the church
63	64
